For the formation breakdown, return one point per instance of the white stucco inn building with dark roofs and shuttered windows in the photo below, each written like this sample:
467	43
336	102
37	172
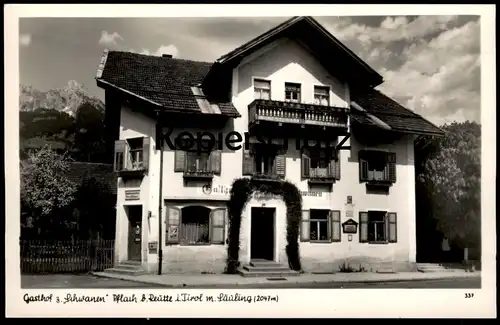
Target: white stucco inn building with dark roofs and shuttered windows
295	82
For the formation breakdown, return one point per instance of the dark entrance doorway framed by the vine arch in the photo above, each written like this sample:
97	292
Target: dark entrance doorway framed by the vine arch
262	234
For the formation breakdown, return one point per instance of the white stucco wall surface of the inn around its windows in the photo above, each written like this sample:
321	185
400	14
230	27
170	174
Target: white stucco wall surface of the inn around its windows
282	62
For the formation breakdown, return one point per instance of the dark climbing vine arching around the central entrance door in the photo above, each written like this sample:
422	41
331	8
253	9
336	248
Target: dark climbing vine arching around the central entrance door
241	191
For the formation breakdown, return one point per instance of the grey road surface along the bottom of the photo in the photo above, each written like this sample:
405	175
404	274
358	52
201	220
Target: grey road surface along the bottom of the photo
91	282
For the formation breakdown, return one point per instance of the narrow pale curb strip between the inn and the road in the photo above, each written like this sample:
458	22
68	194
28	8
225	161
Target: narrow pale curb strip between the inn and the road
278	285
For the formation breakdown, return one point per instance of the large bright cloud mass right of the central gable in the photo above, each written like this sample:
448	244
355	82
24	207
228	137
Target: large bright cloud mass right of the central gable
440	78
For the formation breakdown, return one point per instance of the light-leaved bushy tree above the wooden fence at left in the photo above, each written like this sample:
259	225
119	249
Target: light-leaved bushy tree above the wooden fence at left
45	191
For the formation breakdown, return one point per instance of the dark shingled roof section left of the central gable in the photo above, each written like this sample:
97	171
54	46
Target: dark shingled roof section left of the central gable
164	81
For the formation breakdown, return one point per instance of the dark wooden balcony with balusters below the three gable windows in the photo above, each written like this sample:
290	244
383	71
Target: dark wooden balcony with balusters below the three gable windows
289	113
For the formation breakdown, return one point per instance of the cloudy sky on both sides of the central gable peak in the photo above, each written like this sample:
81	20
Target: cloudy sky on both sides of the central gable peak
430	64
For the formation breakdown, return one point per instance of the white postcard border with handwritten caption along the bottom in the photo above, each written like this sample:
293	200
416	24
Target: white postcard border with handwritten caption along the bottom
292	303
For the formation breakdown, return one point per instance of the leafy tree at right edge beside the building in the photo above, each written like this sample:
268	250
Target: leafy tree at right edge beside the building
451	175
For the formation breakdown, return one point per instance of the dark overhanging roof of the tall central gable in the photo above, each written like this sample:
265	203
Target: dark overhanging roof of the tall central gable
334	55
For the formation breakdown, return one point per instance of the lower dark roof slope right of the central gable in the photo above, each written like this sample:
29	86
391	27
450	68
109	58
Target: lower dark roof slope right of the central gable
399	118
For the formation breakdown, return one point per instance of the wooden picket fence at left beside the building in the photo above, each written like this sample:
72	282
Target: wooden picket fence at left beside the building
43	256
